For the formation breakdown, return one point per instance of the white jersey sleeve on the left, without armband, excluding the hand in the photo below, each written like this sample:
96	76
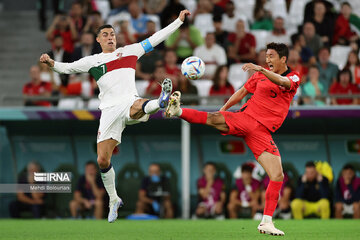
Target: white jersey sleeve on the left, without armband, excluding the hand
80	66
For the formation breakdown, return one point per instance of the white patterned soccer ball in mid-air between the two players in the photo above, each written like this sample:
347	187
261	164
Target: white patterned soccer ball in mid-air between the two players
193	68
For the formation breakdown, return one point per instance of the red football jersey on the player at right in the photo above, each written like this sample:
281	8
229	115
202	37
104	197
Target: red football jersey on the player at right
270	103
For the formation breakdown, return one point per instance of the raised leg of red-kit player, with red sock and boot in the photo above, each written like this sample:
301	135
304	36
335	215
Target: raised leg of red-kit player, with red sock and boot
213	119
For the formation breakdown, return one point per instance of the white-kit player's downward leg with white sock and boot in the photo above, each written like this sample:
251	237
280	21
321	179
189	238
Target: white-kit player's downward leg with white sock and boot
105	149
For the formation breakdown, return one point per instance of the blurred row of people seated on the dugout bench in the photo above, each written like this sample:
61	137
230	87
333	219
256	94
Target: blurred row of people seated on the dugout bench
220	194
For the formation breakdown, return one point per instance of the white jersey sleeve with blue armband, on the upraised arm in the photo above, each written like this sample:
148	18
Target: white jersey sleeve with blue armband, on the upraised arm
148	44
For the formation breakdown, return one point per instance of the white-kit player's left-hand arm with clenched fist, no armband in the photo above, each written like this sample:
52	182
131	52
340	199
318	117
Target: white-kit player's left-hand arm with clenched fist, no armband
79	66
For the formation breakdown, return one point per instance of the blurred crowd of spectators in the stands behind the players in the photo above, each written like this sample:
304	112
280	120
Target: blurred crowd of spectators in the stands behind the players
323	38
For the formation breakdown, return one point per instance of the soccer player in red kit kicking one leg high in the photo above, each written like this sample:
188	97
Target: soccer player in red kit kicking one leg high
273	89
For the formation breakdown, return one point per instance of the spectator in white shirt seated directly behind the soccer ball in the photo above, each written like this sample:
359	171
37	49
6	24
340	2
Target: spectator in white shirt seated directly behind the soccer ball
212	54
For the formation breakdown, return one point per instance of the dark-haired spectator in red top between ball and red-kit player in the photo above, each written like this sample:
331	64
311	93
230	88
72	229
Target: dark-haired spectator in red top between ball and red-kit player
221	85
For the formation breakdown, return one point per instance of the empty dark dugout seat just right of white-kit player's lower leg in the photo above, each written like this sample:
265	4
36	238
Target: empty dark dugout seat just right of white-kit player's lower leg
129	182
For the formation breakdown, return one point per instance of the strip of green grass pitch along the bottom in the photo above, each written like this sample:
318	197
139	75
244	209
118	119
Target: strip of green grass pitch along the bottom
175	229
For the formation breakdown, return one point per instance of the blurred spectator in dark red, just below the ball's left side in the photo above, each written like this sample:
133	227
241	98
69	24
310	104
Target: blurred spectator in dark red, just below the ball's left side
188	91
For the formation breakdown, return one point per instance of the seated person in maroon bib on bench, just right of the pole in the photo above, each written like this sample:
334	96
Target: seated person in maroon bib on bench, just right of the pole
211	193
